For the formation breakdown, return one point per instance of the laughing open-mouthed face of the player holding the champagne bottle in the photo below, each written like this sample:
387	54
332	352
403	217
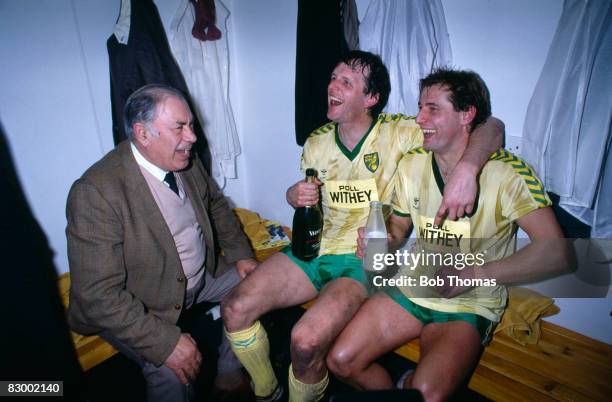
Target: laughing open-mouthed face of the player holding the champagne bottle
346	100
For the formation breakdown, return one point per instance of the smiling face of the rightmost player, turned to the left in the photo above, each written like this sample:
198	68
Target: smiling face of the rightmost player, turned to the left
440	122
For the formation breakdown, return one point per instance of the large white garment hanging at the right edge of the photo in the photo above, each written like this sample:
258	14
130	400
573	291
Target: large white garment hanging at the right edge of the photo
566	135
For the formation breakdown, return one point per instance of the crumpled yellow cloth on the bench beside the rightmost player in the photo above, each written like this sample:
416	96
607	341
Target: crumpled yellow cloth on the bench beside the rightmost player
521	320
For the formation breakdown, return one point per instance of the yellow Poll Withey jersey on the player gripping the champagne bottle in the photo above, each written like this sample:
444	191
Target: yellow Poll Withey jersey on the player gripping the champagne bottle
351	179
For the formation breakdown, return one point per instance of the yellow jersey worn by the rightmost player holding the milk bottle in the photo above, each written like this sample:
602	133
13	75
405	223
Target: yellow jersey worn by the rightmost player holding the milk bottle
508	190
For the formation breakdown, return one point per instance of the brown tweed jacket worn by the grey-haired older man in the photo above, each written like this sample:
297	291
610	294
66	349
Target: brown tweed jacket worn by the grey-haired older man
125	270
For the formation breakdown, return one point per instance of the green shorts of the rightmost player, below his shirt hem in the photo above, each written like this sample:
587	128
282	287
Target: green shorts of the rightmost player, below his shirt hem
427	316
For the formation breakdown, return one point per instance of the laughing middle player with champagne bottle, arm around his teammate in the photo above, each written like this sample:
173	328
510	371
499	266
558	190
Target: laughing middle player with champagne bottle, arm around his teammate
356	156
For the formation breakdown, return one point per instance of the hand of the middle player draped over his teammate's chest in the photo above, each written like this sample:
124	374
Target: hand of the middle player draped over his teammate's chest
459	194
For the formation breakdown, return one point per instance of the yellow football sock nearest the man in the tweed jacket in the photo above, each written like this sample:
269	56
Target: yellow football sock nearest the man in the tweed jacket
252	348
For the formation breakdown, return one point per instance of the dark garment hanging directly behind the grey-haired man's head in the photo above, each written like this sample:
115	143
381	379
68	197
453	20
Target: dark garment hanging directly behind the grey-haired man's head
145	59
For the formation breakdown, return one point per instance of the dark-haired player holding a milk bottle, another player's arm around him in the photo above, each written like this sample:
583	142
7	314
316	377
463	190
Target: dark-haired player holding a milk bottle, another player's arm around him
452	328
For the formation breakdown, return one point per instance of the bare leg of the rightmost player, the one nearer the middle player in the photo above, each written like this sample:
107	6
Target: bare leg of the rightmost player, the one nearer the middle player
380	326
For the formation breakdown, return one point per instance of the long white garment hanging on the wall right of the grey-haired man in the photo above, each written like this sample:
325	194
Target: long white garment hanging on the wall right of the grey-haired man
205	66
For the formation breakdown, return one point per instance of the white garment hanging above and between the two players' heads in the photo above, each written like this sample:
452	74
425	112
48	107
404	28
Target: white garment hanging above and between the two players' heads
412	39
